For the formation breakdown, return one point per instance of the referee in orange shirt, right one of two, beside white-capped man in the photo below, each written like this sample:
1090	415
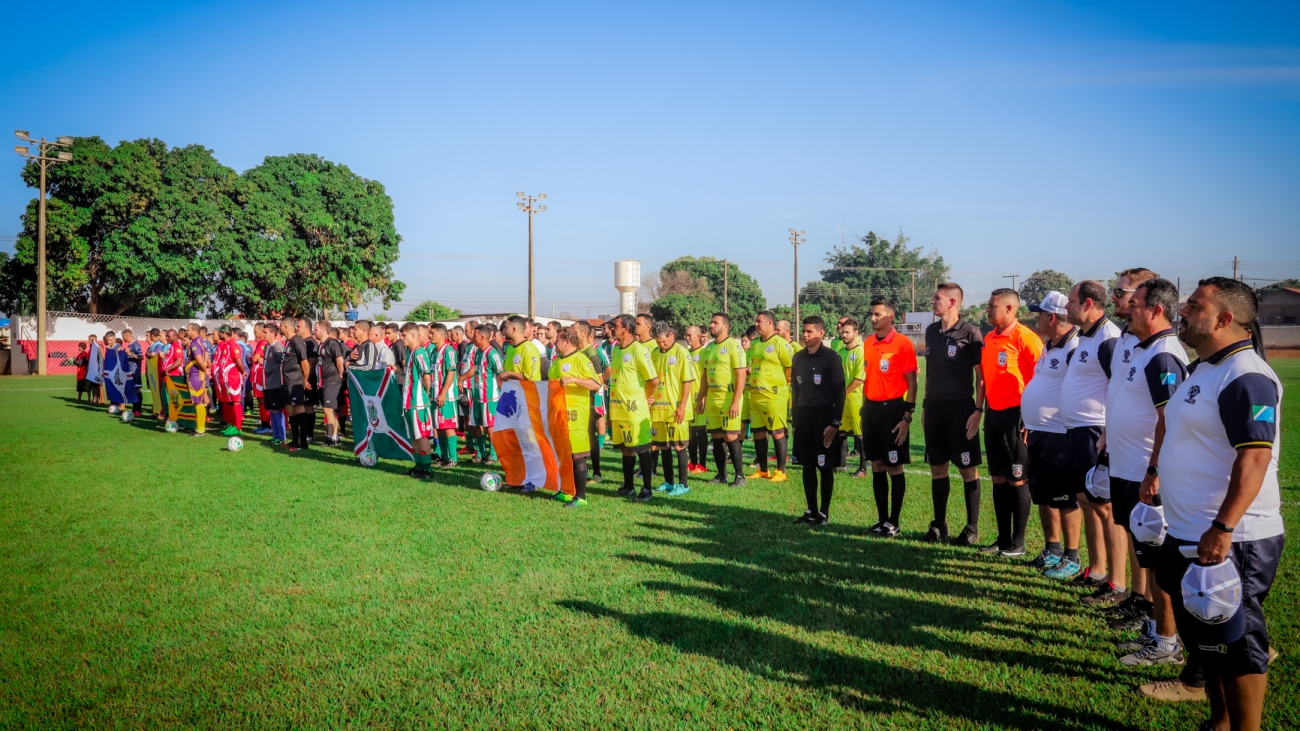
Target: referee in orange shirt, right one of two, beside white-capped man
1011	353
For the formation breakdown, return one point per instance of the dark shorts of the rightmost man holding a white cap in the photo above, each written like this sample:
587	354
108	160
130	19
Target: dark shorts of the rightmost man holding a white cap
1258	565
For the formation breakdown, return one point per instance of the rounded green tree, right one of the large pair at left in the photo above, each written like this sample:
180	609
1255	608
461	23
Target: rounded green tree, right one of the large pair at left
309	235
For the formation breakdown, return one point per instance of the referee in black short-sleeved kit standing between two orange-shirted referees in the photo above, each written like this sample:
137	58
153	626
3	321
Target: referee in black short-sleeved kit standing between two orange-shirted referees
955	384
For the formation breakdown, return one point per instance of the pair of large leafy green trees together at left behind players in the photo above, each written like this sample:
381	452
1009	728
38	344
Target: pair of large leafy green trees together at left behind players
170	232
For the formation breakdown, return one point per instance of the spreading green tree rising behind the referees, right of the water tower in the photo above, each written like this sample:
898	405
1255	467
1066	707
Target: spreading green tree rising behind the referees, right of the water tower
876	267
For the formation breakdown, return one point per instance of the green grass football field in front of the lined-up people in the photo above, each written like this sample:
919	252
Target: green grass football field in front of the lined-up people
154	581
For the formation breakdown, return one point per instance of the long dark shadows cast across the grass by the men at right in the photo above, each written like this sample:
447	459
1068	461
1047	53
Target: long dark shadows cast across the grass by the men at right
756	565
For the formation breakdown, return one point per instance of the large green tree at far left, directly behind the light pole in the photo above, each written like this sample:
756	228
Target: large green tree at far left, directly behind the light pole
129	231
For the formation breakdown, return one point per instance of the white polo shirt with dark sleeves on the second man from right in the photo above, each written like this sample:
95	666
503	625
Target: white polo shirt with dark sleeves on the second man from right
1143	379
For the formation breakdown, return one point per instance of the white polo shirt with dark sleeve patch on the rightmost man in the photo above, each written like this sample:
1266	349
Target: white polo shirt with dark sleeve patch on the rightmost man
1233	400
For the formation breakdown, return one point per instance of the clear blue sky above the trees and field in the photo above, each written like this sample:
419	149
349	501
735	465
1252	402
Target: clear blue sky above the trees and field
1007	136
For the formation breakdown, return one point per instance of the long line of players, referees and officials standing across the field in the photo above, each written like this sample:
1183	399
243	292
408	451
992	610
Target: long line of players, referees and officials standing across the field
1164	469
